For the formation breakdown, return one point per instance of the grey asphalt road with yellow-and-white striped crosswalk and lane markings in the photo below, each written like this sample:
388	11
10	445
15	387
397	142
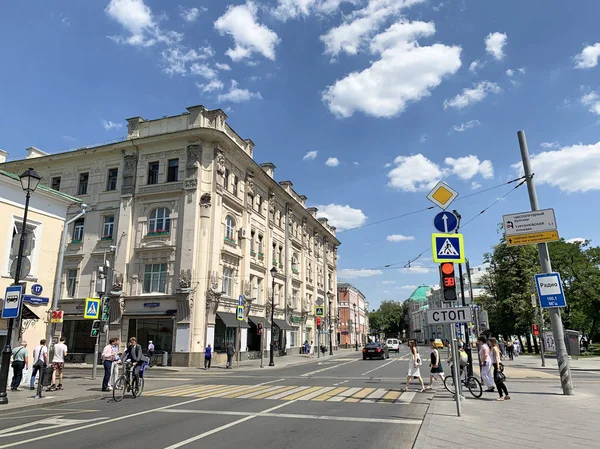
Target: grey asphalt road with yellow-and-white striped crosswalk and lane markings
343	403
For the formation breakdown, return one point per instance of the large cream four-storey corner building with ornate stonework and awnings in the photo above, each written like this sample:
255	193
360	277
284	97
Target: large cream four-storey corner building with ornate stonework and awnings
191	226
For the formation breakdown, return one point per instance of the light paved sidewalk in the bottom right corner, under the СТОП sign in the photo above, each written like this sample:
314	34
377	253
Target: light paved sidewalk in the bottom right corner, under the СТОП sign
537	416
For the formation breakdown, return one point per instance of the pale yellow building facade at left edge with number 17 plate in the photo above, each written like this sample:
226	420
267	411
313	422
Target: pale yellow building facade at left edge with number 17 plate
45	221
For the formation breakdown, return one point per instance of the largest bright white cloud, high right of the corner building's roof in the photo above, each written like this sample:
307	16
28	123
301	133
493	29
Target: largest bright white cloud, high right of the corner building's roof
405	72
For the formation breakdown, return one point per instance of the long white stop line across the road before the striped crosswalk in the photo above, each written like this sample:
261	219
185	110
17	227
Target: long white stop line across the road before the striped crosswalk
266	414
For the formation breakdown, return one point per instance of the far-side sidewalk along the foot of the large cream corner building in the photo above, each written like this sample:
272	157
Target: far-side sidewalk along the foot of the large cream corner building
78	387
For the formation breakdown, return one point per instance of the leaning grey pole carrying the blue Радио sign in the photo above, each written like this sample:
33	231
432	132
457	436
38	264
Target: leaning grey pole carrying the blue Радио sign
555	319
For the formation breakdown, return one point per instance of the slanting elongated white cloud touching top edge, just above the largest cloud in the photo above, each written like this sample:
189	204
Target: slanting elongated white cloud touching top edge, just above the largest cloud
360	25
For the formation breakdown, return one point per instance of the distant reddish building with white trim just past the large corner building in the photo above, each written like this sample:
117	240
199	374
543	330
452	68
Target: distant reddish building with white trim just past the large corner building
353	308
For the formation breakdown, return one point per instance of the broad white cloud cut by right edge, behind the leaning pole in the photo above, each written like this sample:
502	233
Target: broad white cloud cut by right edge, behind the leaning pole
571	169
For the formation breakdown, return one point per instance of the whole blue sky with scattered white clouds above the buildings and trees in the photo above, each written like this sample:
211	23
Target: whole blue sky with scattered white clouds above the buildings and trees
363	104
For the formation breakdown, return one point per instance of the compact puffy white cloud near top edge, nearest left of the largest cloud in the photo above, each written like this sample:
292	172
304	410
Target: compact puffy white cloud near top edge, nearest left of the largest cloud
249	36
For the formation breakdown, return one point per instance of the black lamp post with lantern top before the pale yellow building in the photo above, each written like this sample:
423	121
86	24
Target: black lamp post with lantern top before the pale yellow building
29	182
